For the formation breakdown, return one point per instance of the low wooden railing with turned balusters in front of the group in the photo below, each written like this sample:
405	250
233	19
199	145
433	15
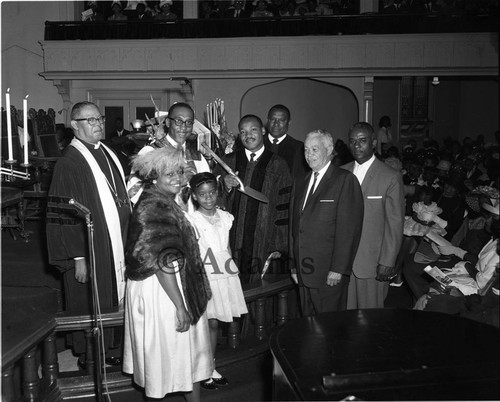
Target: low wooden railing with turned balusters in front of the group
28	333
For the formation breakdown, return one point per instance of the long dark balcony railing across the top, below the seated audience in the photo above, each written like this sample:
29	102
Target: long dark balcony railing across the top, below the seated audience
286	26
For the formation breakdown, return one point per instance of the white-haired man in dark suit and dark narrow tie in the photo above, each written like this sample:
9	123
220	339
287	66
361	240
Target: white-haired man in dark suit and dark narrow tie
325	228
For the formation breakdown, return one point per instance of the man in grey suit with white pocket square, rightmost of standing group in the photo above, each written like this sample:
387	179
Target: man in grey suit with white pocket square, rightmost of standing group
383	196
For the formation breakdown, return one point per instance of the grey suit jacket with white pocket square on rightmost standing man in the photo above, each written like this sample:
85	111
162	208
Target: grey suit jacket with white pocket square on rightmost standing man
383	196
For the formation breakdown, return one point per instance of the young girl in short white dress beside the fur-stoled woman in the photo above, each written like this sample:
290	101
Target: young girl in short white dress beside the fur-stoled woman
213	225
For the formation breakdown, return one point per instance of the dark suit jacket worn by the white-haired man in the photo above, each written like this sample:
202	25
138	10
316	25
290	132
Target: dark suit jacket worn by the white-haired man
325	235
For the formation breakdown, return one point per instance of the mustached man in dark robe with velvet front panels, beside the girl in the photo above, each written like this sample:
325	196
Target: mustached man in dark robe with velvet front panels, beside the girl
259	229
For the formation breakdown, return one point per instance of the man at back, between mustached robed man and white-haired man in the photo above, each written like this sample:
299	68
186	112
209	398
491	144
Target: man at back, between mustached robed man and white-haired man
280	142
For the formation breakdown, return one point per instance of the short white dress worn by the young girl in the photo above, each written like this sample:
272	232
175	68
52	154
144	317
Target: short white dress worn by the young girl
227	299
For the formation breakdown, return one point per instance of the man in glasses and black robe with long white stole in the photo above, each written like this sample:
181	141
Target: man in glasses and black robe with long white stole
90	173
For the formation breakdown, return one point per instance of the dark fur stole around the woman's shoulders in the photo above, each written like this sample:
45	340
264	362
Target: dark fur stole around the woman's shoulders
158	227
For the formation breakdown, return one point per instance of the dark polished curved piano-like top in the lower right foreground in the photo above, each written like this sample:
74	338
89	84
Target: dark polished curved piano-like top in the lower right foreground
385	355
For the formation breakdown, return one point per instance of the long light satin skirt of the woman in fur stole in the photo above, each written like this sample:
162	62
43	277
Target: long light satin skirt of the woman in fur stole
161	359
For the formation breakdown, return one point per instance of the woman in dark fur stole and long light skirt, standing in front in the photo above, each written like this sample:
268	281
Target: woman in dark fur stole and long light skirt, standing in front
167	341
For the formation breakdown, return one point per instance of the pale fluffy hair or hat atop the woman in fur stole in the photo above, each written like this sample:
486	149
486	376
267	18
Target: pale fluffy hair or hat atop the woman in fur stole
151	165
